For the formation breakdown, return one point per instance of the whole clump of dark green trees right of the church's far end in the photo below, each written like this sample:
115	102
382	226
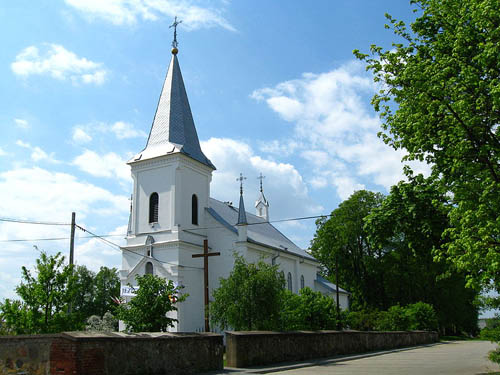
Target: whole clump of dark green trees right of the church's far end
385	252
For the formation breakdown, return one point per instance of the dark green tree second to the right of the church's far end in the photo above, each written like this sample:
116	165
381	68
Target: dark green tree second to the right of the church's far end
408	227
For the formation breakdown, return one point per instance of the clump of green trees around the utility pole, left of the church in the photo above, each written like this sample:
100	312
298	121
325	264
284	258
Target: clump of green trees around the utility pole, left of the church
56	297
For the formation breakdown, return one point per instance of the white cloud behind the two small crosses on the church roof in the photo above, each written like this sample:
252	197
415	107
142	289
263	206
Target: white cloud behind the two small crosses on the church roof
284	186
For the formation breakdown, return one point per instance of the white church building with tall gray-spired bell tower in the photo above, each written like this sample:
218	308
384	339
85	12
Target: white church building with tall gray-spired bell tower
172	214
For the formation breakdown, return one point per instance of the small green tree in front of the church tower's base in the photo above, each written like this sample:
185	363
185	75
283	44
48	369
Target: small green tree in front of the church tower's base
147	310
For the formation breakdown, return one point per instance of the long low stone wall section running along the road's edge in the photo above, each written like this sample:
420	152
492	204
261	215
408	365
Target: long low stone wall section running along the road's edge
244	349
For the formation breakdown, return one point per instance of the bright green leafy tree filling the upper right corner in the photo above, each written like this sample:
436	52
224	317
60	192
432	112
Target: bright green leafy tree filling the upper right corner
439	99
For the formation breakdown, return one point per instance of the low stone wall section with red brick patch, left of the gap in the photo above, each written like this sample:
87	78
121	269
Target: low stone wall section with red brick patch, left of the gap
111	353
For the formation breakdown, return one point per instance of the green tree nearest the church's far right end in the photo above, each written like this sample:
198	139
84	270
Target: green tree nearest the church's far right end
343	236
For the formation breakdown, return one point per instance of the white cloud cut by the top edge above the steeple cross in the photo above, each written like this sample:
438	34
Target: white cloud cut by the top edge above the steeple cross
127	12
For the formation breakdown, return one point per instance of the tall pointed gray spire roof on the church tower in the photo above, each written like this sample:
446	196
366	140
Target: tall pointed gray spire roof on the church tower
173	128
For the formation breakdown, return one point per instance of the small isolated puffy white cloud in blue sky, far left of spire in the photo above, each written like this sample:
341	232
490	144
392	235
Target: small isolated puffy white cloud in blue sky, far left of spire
59	63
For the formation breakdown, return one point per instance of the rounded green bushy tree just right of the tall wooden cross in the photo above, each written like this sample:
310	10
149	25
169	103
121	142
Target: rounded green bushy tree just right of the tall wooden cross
250	298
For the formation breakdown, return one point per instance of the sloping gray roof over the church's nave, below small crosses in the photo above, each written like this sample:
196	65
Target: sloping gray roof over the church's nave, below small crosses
259	231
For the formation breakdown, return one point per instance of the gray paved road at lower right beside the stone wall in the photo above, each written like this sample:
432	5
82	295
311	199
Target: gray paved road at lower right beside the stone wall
454	357
